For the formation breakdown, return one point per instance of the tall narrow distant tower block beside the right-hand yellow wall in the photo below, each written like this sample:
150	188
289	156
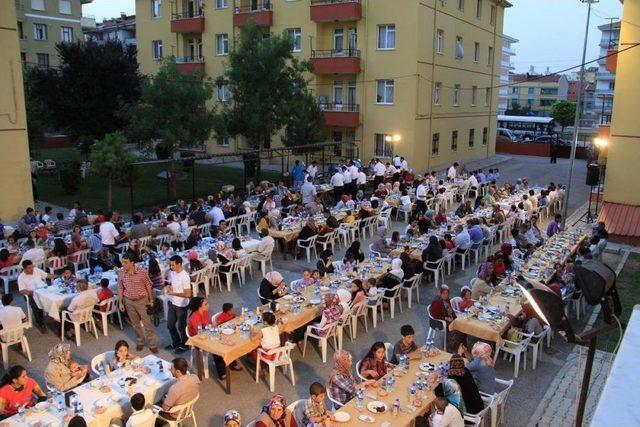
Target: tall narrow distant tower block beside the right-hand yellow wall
606	80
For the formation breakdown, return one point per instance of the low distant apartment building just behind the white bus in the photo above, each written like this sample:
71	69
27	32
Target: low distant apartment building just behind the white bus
538	92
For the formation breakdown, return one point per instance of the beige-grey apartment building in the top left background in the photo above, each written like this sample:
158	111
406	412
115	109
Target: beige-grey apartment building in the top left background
43	23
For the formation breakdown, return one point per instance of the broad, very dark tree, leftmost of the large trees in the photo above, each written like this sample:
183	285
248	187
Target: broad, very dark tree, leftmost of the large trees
86	93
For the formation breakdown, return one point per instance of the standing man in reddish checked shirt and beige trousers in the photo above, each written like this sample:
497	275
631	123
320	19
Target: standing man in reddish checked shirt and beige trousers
135	294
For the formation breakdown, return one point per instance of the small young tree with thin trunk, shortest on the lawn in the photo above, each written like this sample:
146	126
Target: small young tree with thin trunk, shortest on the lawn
111	158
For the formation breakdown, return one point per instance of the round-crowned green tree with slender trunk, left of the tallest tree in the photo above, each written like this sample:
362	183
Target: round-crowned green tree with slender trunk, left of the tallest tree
172	111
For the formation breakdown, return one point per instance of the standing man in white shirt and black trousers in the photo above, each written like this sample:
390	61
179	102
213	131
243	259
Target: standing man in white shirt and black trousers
178	291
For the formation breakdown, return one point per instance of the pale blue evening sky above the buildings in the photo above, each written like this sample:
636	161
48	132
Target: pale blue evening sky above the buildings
550	32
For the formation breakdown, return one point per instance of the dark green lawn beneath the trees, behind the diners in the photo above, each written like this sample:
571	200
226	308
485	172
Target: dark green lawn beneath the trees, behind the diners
148	191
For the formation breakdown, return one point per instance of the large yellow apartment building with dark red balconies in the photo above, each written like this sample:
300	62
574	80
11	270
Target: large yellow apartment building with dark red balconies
414	77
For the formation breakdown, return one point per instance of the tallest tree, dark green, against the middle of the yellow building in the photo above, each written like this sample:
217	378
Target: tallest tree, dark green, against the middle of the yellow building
265	83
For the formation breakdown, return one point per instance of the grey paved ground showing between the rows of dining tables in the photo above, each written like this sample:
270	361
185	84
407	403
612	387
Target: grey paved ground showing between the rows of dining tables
248	397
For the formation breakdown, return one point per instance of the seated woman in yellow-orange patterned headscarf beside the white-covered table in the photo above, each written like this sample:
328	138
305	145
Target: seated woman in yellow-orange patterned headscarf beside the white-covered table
63	372
